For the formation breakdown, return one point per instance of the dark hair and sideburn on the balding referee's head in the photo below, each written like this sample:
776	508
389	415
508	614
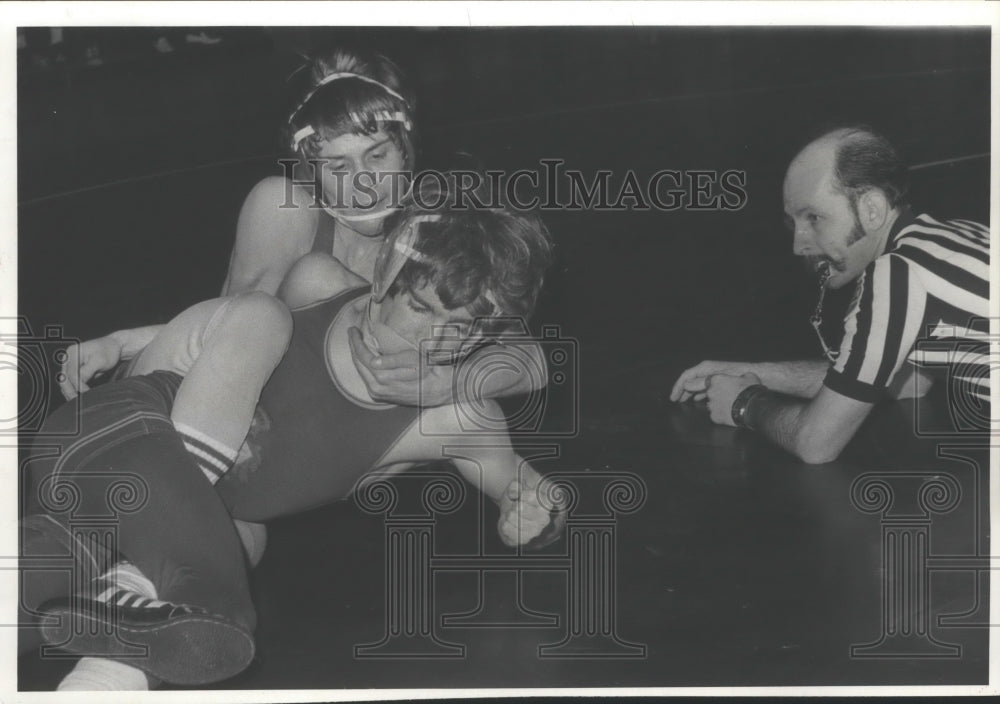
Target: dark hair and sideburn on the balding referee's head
865	159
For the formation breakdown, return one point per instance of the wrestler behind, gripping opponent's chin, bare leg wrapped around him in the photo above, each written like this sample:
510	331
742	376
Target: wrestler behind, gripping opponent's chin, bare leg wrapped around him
353	134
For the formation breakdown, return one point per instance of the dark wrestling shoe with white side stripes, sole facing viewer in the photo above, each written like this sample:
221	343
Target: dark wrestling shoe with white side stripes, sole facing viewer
185	645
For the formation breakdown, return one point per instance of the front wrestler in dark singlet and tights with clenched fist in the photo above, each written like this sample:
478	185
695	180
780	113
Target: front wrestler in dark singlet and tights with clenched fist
446	282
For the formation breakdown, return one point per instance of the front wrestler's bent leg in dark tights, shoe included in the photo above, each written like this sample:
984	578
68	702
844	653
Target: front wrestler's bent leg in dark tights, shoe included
169	522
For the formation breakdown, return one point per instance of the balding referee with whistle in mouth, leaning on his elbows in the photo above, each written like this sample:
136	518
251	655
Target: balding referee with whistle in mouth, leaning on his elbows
916	278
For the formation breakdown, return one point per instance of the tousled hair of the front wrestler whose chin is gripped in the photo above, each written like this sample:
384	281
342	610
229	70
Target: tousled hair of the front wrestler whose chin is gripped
471	254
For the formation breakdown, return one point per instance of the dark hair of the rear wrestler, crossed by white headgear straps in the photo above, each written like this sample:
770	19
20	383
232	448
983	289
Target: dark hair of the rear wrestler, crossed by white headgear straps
349	105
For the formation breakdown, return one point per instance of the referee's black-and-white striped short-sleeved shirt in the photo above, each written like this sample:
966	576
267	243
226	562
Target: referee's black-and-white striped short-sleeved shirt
924	300
